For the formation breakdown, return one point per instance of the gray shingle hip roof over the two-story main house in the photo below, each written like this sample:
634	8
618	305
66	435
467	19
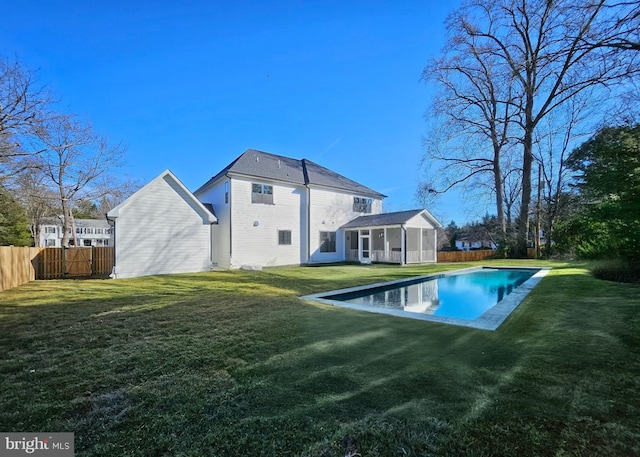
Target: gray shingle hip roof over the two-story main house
259	164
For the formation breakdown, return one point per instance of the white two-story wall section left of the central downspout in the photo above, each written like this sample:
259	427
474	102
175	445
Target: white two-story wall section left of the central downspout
255	226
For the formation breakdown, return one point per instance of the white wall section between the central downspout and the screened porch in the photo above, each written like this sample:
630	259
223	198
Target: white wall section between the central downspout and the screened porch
329	211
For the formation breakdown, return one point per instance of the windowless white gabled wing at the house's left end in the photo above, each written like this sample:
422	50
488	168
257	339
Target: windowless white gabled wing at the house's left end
162	228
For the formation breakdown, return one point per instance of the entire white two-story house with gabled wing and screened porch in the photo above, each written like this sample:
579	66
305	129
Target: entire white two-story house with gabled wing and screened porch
267	210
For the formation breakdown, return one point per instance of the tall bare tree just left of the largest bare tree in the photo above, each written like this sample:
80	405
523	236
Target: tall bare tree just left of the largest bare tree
473	113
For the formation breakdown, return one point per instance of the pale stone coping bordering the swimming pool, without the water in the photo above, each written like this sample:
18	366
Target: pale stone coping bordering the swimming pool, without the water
490	320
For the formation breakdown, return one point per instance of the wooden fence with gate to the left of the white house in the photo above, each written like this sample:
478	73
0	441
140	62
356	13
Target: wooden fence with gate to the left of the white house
19	265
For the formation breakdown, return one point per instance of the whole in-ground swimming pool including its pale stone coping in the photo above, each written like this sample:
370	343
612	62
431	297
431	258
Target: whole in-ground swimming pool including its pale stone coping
480	297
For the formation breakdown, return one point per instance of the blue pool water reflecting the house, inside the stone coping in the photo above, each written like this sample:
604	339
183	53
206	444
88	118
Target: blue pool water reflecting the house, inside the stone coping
465	295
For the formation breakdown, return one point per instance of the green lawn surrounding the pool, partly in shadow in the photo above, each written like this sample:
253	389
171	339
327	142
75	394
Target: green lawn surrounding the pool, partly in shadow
233	363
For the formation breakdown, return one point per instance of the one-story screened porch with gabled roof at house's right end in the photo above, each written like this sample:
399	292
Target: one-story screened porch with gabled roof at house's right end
404	237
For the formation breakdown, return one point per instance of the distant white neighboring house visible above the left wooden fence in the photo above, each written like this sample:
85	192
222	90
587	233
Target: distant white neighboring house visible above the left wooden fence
88	232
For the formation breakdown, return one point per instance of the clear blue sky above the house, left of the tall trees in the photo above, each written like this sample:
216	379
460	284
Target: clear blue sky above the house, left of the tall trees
190	85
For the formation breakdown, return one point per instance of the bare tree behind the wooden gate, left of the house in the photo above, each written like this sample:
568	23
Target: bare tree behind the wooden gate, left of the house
75	160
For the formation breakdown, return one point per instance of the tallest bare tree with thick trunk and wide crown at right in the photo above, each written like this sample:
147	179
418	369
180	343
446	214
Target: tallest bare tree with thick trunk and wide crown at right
548	52
